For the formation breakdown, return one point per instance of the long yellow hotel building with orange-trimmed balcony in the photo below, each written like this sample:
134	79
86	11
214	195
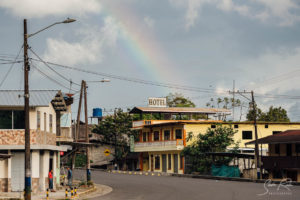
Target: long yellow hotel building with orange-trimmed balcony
161	141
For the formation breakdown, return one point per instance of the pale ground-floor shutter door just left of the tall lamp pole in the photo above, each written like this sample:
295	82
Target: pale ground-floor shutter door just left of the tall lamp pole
17	172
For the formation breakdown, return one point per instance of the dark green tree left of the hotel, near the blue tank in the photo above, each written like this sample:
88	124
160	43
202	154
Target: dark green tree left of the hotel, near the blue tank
116	130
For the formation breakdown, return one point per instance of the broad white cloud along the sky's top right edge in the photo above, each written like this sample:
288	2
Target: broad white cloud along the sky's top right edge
280	12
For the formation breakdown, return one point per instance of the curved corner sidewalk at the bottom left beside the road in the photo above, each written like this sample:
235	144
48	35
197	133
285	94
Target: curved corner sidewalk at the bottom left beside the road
96	190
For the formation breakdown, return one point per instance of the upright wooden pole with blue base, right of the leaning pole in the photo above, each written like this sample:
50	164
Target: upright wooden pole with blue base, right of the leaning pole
88	167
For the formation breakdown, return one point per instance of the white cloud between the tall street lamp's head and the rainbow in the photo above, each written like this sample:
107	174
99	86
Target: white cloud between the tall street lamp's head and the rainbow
89	50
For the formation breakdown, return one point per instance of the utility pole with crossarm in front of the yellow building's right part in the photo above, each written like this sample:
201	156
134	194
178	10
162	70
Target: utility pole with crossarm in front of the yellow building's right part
256	150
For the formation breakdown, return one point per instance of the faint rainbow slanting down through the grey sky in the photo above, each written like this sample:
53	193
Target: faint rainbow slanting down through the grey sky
141	44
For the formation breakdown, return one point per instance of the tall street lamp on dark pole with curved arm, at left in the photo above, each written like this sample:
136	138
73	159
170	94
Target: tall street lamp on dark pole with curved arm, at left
27	194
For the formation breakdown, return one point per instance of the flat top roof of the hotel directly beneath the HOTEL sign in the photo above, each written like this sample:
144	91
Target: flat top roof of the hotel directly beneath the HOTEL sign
183	110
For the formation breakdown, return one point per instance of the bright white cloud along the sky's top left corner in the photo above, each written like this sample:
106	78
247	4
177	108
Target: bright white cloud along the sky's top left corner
42	8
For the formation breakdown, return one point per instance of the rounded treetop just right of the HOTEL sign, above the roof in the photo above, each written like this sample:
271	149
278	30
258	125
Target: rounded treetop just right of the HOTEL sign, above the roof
178	100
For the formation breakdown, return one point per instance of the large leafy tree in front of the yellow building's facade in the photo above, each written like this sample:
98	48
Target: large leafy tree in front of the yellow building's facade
214	140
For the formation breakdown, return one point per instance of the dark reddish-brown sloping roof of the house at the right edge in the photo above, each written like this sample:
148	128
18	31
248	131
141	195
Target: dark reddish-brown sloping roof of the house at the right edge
289	136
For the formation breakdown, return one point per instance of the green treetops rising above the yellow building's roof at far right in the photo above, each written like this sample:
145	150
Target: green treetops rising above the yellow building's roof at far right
272	115
